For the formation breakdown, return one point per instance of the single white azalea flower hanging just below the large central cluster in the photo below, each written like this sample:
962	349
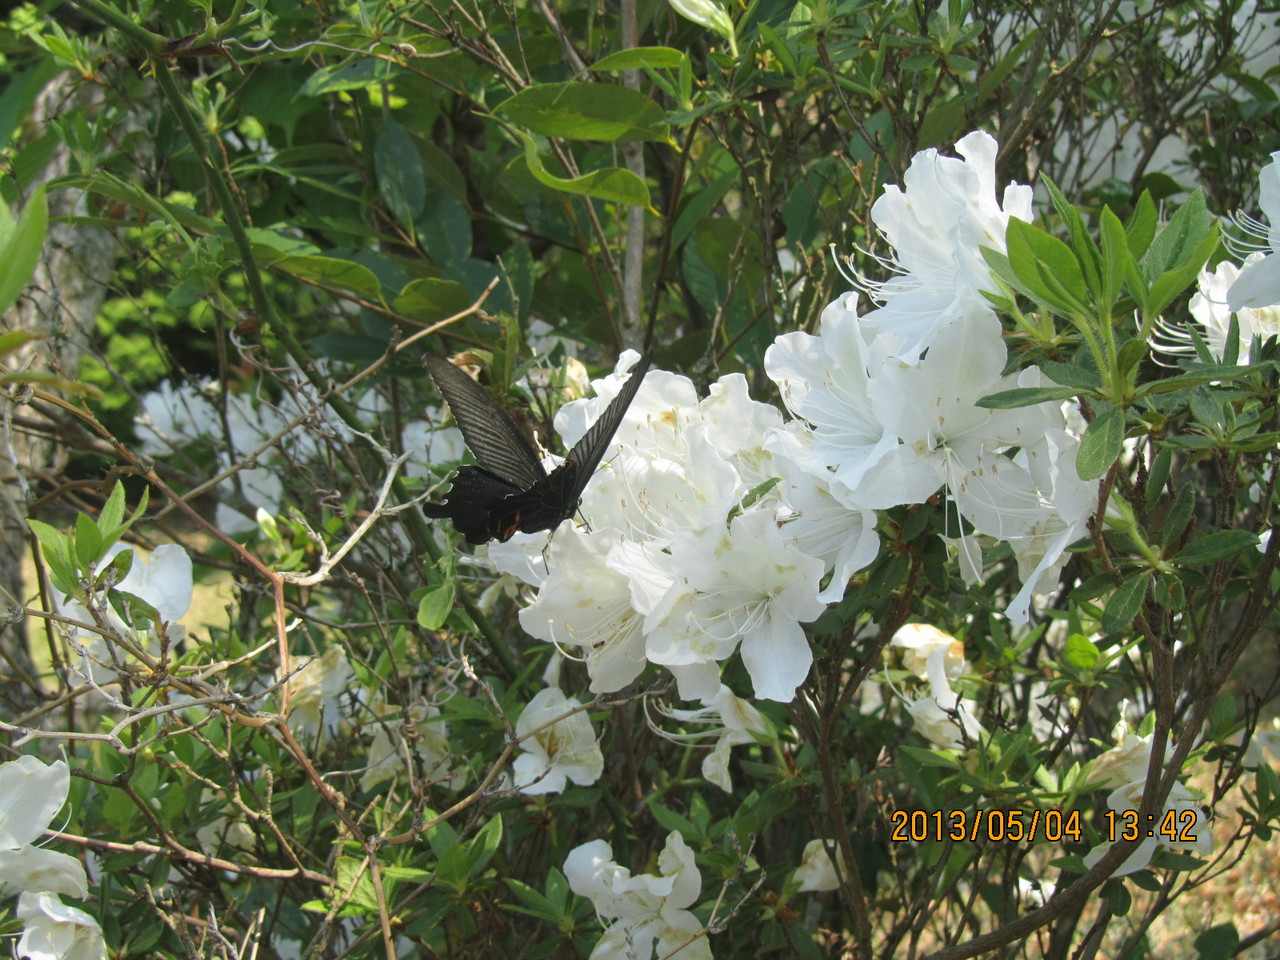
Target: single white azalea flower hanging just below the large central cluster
563	752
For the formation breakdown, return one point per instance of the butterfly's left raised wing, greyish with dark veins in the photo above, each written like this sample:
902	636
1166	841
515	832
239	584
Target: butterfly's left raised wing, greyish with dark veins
500	446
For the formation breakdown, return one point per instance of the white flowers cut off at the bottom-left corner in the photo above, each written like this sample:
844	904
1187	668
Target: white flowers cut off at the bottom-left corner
31	796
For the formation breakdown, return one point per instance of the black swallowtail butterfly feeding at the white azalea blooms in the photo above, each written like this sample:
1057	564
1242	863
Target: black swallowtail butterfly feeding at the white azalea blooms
511	491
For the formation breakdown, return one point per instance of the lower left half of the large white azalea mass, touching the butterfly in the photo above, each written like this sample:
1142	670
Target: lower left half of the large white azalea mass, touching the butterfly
674	569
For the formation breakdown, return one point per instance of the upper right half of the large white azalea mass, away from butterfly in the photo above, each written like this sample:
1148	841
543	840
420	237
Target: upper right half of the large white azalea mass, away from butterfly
885	403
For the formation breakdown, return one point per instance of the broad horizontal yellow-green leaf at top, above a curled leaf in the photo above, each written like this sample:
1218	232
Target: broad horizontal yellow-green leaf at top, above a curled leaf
602	112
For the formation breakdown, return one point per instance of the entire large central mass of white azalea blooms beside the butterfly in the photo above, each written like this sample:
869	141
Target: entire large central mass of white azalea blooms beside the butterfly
680	568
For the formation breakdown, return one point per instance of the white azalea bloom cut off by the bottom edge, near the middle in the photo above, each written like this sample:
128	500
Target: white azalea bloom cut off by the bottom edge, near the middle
647	912
